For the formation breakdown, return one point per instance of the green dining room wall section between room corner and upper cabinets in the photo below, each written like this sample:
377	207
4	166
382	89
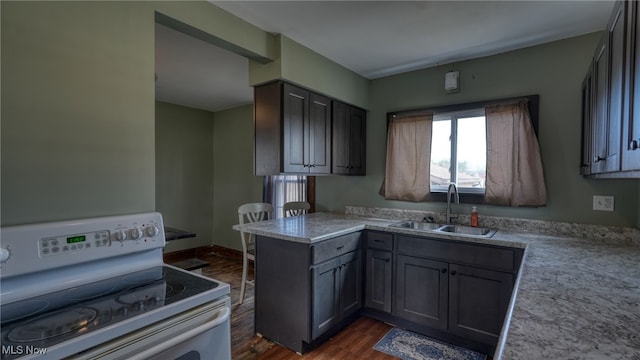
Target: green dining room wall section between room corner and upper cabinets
234	183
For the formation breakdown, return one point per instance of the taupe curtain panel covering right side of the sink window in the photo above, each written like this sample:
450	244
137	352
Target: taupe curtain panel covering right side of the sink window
514	167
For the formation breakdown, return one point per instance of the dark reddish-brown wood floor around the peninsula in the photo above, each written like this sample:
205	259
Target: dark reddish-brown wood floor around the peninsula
354	342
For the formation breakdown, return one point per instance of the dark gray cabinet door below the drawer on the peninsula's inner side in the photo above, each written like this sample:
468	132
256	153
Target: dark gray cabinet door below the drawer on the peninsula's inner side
336	291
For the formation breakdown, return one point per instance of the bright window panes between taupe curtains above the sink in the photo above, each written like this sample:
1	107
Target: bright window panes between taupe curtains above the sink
458	151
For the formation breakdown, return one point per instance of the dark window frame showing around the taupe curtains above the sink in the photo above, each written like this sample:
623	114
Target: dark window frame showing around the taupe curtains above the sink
470	198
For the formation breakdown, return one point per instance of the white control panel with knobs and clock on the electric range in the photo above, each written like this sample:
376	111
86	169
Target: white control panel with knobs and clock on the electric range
36	247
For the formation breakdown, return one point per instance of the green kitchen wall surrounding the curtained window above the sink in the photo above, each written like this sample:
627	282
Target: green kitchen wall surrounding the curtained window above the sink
554	71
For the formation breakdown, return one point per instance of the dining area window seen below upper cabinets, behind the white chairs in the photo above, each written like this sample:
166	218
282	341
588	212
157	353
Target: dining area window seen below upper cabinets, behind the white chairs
280	189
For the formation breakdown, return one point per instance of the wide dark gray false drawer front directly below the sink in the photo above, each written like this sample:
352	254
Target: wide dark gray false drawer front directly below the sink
480	255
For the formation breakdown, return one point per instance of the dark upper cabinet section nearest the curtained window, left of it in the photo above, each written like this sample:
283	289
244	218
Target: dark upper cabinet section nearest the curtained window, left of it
349	134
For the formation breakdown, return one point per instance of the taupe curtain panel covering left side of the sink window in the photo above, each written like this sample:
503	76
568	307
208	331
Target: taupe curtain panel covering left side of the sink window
408	159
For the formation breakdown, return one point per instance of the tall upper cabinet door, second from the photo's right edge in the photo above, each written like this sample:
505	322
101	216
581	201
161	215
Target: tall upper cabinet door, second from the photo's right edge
617	34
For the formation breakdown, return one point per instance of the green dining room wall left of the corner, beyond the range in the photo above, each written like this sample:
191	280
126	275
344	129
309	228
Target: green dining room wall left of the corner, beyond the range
184	172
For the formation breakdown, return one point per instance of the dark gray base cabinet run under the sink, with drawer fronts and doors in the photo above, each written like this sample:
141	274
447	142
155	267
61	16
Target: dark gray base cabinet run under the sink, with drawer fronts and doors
455	290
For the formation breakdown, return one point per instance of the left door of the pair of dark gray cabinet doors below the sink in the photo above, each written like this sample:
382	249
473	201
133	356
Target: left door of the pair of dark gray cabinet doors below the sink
421	291
